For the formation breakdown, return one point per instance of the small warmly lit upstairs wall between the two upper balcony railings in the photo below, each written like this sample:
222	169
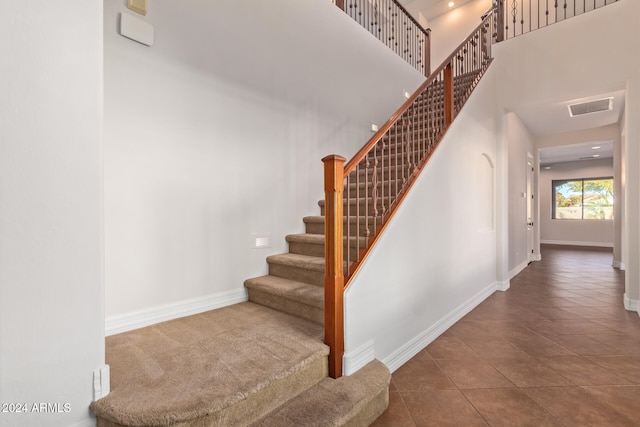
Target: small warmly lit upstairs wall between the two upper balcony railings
450	29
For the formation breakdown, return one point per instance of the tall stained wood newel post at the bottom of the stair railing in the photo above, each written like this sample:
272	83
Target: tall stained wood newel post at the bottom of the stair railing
334	274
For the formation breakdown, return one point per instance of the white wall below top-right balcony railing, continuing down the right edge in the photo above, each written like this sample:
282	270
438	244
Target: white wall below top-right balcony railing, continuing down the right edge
585	59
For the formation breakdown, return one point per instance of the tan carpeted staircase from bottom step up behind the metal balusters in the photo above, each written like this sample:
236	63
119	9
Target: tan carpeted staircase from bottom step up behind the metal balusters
263	362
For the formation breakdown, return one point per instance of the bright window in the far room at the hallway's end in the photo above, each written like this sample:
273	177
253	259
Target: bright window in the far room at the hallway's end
587	198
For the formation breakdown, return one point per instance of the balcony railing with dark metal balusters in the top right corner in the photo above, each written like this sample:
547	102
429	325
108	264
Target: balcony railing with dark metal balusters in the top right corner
523	16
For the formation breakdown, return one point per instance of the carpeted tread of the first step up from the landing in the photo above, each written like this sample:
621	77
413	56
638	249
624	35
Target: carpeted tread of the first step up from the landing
290	289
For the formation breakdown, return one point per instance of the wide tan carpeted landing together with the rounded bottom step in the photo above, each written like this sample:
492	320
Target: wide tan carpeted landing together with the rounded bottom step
245	364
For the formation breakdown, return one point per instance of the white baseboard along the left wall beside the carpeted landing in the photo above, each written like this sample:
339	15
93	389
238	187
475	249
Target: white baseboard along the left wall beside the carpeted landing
138	319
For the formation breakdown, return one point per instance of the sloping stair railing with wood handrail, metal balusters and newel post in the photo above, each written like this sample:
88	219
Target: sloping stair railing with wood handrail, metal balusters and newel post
362	195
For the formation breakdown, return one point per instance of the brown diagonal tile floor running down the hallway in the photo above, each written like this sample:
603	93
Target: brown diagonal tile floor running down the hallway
557	349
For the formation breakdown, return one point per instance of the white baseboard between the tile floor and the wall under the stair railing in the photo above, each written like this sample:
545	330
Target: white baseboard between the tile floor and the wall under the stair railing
417	344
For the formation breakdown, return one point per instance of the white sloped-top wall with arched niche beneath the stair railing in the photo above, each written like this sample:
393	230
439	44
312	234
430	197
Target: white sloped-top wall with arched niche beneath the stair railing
436	259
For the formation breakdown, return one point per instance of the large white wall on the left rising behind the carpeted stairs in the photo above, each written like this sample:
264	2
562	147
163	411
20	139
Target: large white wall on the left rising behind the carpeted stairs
217	131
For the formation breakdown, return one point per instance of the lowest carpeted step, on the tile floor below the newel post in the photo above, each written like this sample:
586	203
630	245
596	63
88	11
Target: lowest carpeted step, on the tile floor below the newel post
356	400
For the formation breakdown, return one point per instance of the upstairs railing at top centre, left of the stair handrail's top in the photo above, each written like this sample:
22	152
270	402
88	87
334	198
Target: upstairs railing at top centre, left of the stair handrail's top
390	22
